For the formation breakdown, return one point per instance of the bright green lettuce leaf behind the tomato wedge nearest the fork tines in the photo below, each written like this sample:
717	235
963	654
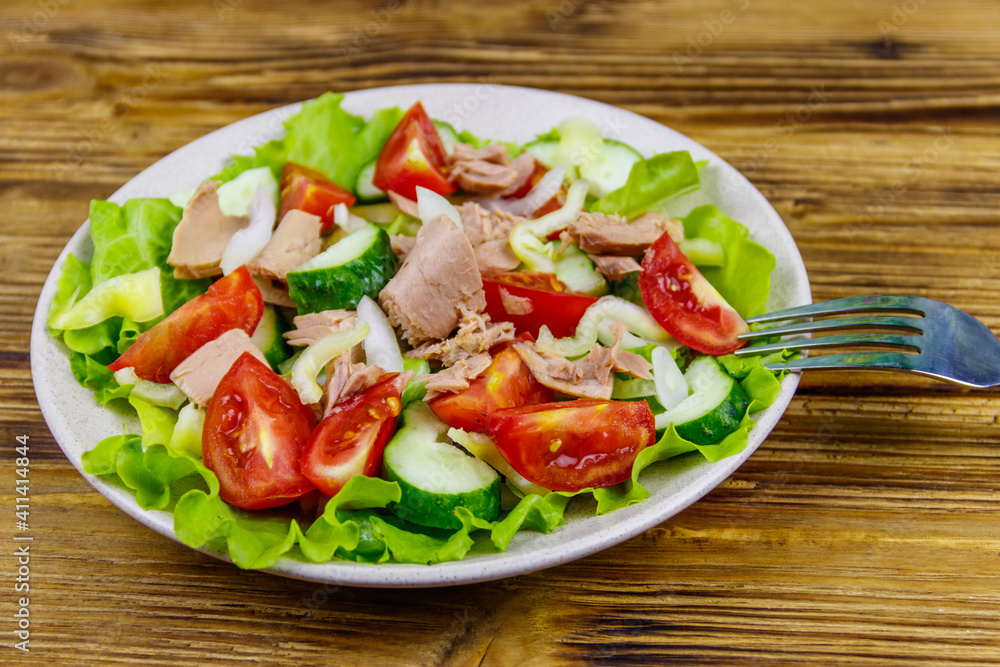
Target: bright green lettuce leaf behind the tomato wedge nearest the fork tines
744	279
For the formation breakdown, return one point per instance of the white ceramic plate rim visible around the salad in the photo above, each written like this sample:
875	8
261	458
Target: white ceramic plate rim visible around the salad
500	112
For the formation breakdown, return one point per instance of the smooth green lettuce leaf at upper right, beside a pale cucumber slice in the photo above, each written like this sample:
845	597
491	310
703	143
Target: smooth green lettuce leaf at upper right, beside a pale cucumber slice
650	182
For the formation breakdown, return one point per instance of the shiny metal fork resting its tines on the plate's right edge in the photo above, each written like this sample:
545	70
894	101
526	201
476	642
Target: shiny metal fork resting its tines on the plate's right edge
928	337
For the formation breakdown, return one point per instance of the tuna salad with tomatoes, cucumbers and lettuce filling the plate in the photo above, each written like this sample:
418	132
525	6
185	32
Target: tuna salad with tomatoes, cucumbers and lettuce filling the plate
381	339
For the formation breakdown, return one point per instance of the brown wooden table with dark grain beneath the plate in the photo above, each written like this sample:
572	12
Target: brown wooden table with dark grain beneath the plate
866	529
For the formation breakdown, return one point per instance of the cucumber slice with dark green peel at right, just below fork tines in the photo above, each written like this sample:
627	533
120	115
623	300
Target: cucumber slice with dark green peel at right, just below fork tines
714	409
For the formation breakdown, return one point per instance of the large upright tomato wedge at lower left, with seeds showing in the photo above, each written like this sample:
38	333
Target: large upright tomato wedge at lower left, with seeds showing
255	429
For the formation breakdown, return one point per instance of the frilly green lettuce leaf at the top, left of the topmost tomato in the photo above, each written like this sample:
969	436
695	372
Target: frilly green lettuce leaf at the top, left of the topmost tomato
325	137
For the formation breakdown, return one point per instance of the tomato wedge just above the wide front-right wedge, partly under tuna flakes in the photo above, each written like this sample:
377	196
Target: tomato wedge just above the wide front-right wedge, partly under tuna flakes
507	383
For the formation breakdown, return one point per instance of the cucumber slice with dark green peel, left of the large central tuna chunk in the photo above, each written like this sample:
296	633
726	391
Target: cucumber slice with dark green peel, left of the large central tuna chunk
360	263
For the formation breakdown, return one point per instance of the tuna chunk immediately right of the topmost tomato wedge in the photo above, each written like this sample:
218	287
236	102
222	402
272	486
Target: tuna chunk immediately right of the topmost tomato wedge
487	171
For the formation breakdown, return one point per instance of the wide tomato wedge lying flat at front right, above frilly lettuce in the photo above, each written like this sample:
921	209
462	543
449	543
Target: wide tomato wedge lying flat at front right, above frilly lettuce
574	445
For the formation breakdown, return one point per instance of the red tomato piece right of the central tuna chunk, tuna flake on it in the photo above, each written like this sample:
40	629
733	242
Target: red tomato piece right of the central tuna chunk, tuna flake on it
558	310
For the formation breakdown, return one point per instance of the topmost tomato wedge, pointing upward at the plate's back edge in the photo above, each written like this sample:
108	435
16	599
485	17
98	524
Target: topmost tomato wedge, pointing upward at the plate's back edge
413	156
